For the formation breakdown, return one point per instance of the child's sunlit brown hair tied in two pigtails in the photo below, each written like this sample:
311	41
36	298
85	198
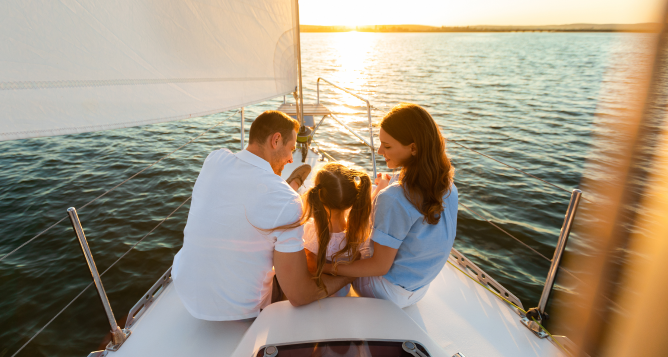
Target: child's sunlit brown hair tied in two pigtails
336	188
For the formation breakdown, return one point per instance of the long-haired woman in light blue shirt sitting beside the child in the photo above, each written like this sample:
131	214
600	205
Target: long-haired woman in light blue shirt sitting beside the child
415	216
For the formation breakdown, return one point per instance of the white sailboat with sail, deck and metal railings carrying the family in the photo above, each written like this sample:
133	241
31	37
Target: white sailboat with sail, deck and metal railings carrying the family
79	66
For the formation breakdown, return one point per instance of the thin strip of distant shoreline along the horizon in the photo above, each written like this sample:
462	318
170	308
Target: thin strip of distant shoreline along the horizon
638	28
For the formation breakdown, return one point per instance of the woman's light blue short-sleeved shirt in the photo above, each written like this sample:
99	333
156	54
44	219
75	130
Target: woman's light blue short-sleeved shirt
423	248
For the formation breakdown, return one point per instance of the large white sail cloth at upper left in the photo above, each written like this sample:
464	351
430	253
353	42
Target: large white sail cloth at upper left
73	66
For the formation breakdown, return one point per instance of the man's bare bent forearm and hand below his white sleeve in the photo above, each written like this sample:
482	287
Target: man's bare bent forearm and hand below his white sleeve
298	284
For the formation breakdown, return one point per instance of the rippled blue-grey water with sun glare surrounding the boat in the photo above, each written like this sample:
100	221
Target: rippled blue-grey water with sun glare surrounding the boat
532	100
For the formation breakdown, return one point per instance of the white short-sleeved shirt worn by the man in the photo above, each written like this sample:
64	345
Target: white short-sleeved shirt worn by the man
225	269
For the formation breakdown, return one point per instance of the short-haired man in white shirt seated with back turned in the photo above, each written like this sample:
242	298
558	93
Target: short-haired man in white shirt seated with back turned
224	270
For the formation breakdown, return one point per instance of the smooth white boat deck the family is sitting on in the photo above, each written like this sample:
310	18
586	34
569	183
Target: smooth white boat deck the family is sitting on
456	315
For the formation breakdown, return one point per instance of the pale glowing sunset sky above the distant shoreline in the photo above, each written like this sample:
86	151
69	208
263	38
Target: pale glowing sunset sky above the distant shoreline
477	12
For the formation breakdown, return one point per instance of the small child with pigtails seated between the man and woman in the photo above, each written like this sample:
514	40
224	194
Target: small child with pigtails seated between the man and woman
336	213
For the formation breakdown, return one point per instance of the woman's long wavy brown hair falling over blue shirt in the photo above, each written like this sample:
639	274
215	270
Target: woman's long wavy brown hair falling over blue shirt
428	175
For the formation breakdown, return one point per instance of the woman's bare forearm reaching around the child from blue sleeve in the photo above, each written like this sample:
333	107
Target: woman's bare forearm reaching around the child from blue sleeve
377	265
